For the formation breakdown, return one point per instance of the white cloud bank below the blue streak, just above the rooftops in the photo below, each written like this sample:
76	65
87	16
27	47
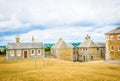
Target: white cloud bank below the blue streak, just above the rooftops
69	34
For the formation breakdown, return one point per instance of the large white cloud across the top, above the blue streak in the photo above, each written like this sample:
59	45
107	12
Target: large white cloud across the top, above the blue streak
39	12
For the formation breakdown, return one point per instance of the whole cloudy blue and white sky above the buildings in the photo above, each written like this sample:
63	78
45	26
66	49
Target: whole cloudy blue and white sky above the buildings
48	20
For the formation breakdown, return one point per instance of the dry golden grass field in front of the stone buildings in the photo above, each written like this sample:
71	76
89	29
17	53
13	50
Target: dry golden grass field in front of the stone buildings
57	70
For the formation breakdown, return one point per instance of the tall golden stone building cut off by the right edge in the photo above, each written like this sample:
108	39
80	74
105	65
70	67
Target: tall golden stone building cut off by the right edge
113	44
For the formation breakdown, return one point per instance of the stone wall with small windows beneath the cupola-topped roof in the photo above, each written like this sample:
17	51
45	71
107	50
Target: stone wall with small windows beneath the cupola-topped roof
89	54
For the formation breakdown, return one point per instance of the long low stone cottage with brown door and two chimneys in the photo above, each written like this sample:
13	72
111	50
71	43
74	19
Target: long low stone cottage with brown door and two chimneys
24	50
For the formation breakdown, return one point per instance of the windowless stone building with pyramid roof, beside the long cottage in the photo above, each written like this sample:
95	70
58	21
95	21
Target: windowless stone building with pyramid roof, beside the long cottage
62	50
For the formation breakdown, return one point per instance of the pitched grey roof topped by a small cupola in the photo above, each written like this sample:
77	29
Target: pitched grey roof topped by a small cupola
90	43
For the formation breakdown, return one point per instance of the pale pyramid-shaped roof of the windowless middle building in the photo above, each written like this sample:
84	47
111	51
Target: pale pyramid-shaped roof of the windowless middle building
62	44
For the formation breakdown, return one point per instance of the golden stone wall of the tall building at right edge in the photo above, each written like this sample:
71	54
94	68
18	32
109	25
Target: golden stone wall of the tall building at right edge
112	54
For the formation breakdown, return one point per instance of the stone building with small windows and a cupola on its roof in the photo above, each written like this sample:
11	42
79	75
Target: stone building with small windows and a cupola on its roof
89	50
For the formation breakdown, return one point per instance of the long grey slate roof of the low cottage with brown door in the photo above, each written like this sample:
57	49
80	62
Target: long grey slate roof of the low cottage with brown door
24	45
